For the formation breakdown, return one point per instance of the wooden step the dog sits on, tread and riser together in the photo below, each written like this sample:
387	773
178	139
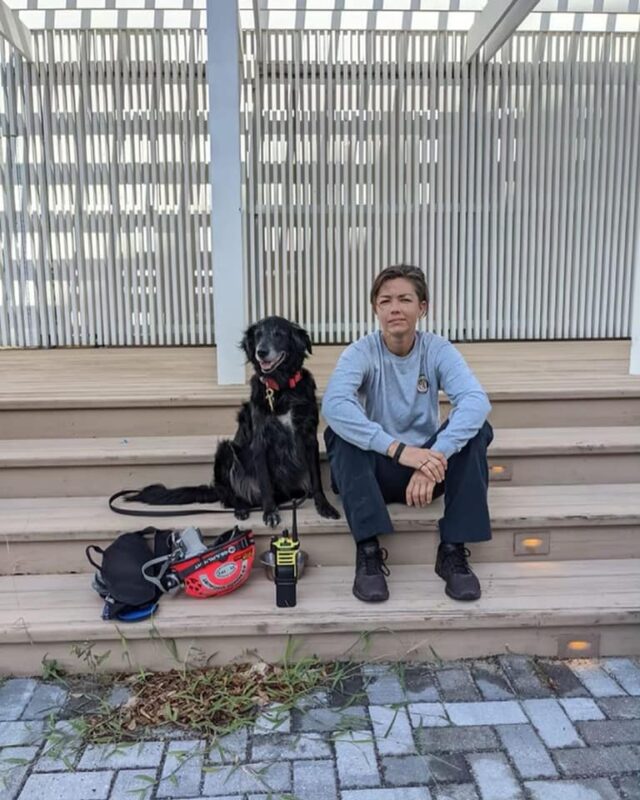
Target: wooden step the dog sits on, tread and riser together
42	535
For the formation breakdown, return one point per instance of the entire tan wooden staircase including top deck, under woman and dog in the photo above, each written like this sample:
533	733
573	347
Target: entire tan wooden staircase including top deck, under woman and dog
529	604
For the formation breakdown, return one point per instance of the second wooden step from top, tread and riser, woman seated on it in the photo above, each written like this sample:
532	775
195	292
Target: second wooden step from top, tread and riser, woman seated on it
519	456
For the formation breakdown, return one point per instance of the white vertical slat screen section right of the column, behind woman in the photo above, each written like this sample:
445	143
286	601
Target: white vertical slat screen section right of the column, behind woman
512	184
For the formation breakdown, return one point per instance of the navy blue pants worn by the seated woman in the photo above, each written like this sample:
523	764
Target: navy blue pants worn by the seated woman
367	481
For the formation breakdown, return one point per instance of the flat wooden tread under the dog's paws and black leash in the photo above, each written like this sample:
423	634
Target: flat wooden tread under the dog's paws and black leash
47	518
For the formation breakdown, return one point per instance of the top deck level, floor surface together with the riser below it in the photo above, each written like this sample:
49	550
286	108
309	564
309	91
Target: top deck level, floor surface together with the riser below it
147	391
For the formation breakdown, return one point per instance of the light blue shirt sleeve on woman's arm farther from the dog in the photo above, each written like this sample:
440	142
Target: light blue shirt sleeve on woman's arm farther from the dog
469	401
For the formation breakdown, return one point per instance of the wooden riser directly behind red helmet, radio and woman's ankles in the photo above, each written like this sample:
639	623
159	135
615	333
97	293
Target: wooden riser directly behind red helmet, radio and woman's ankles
335	549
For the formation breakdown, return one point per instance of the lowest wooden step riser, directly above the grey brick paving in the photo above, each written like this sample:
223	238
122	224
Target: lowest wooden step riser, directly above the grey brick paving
425	645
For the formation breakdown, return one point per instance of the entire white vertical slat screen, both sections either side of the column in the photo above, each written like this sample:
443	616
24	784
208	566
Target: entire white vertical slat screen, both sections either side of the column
513	184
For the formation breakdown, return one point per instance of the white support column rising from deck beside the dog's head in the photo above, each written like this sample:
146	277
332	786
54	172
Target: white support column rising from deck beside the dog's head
223	77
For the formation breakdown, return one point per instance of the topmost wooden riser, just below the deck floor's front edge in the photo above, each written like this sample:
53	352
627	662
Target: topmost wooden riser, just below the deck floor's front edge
193	420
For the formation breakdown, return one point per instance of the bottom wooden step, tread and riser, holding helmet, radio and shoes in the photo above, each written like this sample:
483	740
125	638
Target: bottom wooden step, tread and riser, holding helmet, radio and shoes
533	608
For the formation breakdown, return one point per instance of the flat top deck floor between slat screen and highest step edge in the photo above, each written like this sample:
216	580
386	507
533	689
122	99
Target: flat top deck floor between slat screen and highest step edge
186	376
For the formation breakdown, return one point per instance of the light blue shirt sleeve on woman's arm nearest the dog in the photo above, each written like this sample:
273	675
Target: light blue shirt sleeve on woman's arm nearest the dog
342	409
